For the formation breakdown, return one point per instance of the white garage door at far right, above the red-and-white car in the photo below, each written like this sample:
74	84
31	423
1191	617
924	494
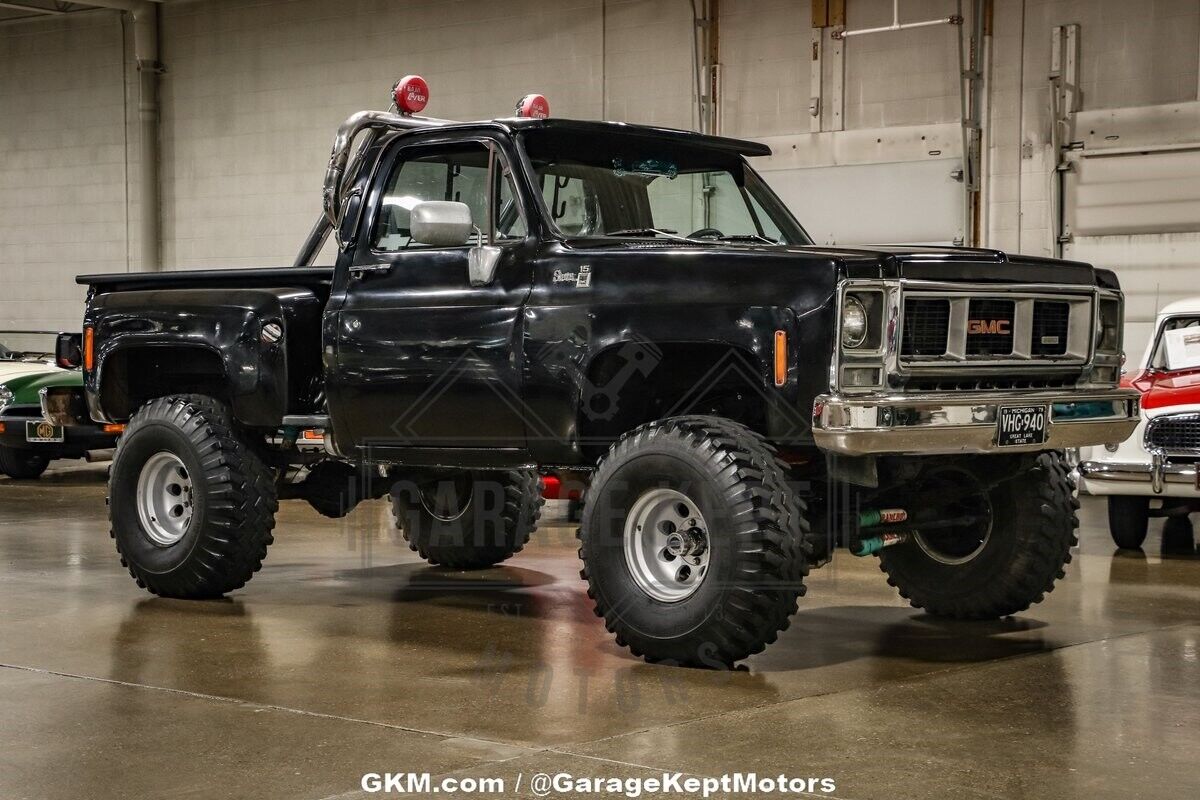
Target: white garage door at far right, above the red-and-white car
1138	213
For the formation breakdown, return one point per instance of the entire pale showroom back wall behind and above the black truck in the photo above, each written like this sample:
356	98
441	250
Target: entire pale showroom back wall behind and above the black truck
254	91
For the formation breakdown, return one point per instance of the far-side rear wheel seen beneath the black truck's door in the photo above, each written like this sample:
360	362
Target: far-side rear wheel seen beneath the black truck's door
469	520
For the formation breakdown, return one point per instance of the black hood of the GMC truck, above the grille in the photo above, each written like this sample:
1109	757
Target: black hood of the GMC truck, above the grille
873	262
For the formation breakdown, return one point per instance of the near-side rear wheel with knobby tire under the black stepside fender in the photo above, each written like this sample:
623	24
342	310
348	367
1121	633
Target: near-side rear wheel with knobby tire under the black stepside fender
193	507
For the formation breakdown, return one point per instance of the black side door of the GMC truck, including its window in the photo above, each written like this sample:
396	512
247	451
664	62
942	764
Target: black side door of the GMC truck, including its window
423	360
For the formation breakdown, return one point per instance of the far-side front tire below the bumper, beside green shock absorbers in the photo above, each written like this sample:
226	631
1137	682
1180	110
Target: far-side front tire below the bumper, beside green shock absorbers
1011	544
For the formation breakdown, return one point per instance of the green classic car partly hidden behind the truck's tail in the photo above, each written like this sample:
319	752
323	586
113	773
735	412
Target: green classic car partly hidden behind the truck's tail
28	440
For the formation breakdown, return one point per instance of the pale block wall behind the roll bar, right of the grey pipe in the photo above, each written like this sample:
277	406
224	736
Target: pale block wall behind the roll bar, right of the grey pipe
256	91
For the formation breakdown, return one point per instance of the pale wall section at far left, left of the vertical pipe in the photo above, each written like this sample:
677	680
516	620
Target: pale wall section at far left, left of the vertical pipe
62	167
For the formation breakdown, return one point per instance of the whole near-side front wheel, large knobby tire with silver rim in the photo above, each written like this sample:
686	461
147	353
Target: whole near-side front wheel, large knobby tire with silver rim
694	545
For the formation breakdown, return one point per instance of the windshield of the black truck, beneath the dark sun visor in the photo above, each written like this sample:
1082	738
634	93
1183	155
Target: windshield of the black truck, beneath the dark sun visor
627	185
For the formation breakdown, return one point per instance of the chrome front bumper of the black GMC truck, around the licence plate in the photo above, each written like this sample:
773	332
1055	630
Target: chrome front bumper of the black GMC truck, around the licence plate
967	423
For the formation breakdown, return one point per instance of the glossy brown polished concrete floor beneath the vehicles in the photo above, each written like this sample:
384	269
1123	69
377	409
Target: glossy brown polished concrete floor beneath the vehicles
347	655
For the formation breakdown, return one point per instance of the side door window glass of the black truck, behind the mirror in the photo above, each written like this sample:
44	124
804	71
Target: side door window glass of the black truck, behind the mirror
455	173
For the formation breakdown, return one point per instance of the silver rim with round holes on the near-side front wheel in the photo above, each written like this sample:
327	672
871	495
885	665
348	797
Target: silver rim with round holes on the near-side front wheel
667	545
